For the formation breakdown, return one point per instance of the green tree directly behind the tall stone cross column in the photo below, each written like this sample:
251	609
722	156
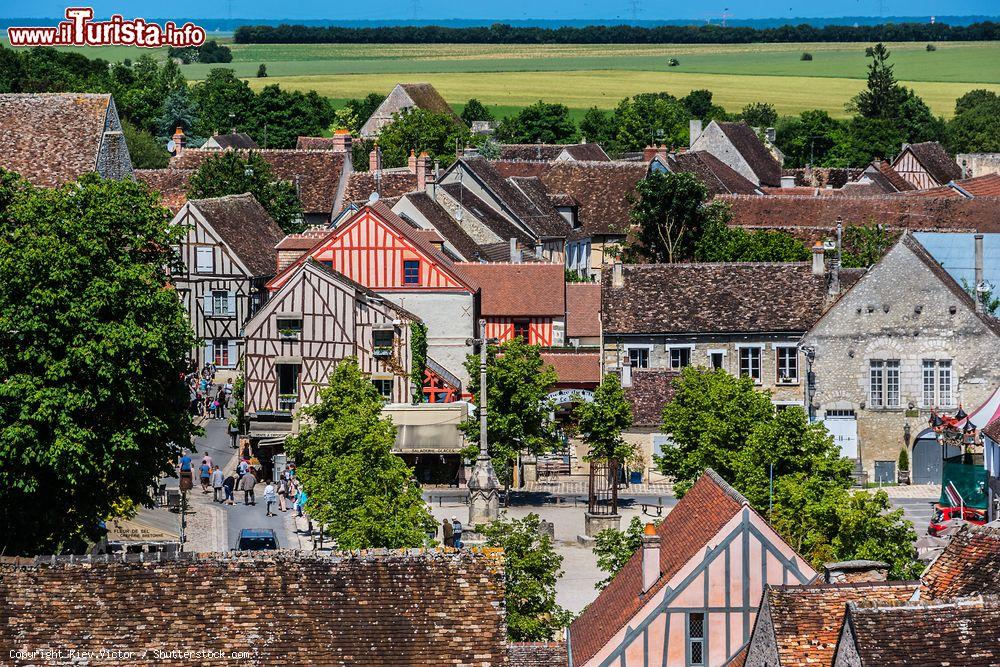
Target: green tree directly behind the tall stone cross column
518	383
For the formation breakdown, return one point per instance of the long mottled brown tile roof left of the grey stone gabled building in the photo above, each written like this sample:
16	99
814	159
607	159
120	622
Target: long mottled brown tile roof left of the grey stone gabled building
713	298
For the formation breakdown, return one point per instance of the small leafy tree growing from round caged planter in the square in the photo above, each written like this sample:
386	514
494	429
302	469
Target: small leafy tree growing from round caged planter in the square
602	421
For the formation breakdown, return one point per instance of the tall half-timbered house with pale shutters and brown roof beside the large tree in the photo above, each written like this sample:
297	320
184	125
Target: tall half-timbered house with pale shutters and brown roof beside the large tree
228	256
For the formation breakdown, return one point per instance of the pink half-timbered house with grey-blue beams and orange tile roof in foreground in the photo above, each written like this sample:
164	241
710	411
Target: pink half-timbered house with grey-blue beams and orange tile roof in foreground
689	595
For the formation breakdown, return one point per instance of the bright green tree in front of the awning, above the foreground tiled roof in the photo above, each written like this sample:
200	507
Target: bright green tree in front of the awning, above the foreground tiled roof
357	487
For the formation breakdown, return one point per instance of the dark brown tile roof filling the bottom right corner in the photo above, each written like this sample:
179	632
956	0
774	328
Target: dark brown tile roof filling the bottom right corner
965	631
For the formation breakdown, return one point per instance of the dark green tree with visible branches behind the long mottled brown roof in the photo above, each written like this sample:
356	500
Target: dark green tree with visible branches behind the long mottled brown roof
669	214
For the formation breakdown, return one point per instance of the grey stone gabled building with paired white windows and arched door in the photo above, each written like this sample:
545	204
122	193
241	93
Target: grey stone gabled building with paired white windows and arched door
904	340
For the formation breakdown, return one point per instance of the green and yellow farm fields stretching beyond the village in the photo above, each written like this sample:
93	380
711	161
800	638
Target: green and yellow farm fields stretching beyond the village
580	76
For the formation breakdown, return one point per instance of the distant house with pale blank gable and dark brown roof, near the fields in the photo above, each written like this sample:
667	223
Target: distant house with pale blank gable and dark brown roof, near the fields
737	145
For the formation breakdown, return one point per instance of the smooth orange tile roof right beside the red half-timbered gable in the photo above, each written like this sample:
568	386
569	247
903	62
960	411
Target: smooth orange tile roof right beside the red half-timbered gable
519	290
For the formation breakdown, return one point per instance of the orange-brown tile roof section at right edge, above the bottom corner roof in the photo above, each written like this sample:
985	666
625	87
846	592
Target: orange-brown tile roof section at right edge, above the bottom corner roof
970	564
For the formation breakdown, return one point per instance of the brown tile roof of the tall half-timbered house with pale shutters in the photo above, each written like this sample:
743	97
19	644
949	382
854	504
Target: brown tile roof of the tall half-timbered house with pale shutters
246	228
